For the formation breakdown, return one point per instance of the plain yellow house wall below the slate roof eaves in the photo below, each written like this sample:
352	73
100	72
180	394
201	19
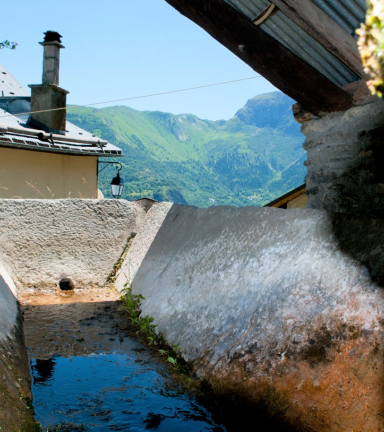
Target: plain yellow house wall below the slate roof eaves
37	174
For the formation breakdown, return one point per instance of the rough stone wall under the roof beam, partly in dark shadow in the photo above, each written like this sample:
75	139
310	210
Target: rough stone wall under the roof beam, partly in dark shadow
345	161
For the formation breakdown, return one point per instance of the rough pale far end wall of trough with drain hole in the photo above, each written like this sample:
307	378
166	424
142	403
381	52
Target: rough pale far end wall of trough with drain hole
43	240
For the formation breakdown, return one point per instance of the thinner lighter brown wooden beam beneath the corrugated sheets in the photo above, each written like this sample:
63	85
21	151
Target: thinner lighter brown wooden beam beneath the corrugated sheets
325	30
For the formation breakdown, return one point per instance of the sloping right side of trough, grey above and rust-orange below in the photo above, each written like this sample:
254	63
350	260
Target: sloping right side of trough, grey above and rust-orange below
283	306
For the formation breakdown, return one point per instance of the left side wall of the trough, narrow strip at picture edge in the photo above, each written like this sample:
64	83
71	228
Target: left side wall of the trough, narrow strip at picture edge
15	385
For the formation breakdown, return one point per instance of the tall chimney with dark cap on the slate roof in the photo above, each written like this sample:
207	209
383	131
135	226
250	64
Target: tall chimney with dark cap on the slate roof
48	96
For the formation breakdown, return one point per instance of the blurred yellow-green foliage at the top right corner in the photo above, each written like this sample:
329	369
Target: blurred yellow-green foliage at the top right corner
371	46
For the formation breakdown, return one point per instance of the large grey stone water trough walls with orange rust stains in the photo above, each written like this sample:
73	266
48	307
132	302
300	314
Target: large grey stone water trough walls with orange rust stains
282	308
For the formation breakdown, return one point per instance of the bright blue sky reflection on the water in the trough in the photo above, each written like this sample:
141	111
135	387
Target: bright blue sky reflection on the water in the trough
112	392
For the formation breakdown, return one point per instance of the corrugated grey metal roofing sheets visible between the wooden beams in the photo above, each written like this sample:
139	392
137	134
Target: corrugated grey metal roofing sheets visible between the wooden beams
348	14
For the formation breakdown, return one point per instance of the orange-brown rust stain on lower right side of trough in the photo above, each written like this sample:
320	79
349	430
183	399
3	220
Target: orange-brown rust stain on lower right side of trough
333	384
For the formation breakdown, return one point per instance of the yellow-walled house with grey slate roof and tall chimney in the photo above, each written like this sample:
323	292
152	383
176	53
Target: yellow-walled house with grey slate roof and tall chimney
41	154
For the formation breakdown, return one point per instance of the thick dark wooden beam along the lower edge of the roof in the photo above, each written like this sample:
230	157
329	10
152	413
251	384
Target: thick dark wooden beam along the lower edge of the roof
294	77
